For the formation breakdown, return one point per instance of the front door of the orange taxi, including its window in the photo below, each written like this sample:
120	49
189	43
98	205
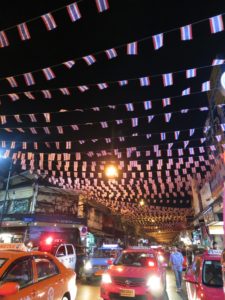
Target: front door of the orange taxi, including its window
21	271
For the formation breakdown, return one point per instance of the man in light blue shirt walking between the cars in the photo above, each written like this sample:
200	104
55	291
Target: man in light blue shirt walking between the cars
176	261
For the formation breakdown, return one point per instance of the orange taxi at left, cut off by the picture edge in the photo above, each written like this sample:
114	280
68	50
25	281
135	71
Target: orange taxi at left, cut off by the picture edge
31	275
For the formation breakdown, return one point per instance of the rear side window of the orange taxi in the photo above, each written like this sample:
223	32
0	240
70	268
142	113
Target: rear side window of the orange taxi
45	268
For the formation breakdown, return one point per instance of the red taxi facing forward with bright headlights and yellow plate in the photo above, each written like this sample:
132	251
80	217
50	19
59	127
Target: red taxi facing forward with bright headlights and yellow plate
135	274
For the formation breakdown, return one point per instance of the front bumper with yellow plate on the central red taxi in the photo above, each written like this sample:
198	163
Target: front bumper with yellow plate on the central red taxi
114	292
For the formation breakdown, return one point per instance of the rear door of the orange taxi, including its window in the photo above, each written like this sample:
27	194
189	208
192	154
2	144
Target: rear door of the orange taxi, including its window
49	281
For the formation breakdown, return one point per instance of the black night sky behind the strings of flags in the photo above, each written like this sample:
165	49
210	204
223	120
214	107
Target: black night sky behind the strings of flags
125	21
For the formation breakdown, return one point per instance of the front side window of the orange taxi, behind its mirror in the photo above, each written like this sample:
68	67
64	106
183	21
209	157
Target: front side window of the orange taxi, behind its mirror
21	272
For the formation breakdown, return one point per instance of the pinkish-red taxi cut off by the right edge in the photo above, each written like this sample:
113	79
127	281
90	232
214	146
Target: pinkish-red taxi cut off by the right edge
204	277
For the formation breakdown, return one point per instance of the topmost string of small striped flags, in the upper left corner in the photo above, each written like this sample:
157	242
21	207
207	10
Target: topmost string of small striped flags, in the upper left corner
49	21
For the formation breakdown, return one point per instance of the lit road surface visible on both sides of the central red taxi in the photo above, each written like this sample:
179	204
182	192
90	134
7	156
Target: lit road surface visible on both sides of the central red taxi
91	291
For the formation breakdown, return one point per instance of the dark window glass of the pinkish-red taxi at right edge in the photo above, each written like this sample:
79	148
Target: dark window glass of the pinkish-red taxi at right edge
212	273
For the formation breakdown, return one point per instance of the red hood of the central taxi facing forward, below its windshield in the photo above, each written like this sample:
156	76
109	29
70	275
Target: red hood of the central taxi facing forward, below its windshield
127	271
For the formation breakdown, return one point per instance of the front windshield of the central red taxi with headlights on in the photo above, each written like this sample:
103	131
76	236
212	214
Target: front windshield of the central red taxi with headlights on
136	259
